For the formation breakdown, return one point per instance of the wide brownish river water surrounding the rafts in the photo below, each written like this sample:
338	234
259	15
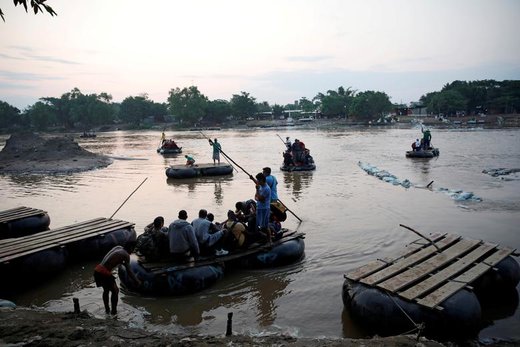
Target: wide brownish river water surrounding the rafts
349	218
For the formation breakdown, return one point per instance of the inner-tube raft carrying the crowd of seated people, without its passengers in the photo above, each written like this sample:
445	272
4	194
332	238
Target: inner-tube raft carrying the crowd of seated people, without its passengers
167	278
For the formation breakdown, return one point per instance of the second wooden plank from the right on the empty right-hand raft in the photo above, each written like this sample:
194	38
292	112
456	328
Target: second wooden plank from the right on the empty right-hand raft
442	276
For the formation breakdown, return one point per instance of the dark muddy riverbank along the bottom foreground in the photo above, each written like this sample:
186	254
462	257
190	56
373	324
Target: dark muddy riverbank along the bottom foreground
36	327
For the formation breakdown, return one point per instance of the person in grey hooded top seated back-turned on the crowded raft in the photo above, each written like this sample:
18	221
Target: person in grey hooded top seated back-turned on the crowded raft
183	242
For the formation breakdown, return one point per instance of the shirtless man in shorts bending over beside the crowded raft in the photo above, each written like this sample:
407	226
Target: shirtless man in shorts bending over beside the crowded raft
104	278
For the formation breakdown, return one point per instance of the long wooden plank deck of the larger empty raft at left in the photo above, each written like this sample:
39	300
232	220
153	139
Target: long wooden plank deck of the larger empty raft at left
15	248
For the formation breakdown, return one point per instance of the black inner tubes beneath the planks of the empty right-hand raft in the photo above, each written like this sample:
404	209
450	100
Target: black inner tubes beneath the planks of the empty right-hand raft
460	315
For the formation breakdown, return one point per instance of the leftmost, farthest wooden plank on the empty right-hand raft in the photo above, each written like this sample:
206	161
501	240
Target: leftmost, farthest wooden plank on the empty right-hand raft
379	264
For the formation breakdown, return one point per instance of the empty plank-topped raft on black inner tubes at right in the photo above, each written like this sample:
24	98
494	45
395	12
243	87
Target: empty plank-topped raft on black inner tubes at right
435	286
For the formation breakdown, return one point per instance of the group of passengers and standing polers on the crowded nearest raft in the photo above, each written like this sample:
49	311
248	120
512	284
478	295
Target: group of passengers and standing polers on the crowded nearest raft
256	220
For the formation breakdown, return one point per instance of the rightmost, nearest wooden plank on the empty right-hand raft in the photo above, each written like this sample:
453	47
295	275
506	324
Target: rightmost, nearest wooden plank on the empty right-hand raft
437	297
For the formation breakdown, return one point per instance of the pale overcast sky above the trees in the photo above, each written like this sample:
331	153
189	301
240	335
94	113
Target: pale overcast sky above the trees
276	50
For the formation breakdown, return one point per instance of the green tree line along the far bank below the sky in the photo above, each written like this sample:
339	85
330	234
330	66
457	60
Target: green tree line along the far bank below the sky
188	106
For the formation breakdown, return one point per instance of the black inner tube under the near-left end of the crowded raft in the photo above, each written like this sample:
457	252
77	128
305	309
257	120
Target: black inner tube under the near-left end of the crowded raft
170	279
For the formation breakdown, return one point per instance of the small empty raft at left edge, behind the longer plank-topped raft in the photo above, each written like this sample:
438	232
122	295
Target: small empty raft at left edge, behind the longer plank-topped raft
23	221
